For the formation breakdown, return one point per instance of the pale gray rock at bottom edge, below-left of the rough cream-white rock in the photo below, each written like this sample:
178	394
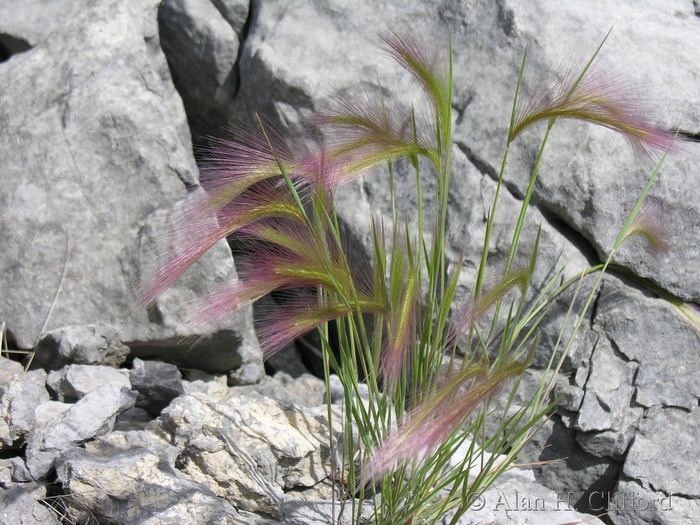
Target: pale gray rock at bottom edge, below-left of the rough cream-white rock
129	478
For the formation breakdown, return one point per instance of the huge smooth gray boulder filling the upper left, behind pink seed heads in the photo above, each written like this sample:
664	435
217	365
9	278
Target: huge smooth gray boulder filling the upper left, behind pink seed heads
103	142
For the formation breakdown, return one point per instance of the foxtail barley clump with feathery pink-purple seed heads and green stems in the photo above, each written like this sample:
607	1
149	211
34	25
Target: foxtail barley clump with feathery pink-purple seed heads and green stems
432	371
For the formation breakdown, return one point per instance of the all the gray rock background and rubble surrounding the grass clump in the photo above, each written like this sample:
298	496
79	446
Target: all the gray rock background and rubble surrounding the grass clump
121	420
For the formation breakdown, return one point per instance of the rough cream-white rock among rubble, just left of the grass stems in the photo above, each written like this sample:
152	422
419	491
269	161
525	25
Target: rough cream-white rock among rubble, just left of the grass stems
249	450
